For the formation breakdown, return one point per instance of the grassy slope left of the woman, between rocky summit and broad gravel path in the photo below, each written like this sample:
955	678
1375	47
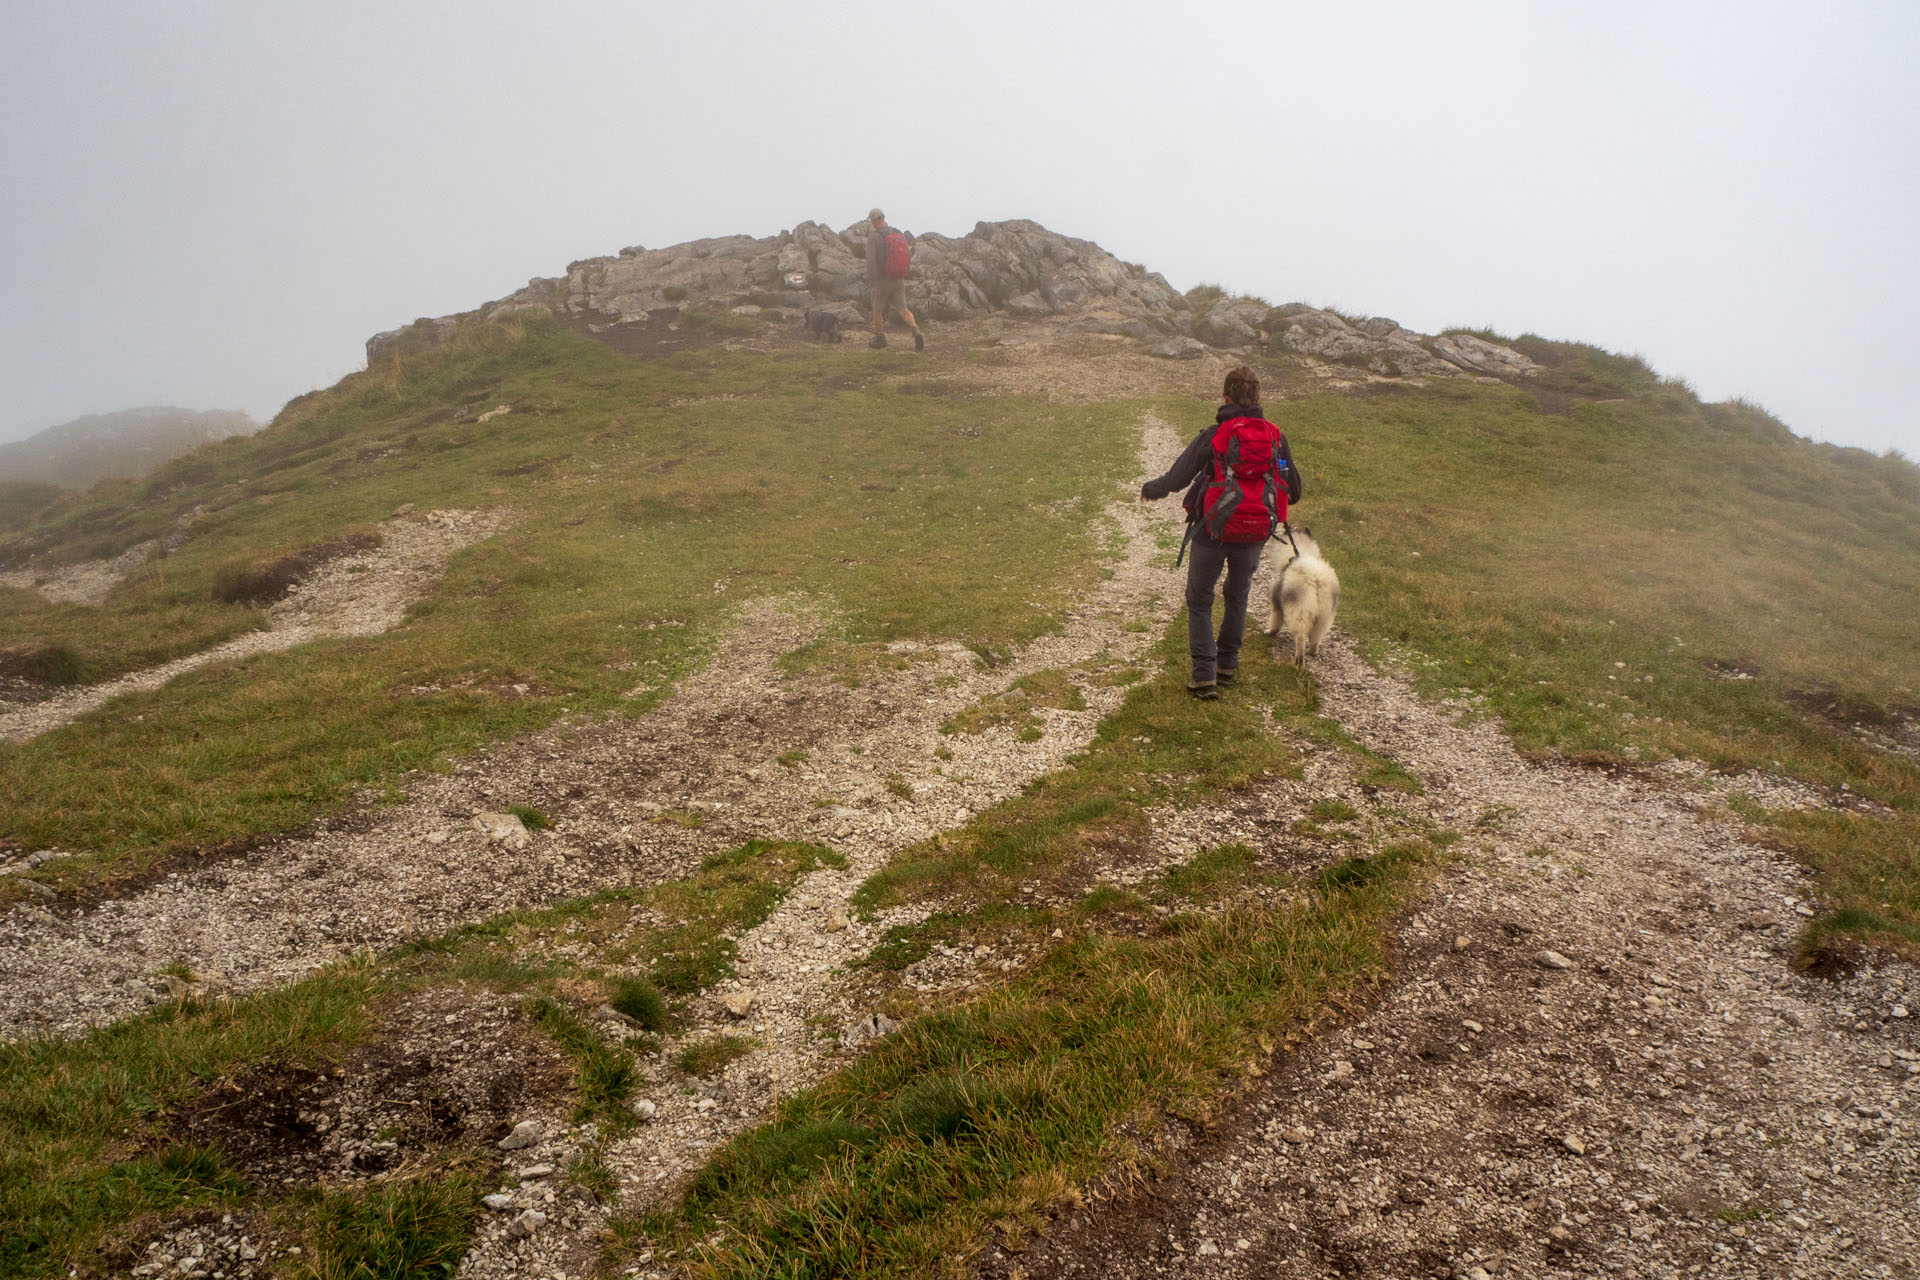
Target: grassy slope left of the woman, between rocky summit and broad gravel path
648	500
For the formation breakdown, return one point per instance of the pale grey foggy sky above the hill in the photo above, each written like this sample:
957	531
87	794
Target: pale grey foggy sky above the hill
216	204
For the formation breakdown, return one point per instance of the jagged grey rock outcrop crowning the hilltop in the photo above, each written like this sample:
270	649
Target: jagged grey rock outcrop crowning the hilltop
1015	268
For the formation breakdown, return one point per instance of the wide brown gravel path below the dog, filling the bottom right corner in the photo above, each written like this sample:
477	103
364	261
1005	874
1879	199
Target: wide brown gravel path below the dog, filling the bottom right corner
1593	1058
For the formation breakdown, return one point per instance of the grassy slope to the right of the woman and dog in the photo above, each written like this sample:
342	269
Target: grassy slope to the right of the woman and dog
1595	579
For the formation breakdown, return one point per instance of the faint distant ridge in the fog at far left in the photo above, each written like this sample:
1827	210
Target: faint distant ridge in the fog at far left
118	444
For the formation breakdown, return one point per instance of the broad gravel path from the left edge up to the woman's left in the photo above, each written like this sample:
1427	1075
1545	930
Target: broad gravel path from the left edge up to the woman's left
621	797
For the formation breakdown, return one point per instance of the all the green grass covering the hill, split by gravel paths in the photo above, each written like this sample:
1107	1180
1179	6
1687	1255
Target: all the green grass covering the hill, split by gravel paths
1616	571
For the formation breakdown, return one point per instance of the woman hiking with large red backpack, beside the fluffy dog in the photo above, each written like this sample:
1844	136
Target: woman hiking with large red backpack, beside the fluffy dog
1239	481
